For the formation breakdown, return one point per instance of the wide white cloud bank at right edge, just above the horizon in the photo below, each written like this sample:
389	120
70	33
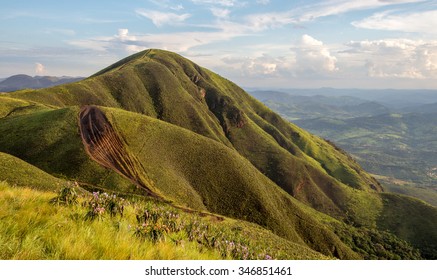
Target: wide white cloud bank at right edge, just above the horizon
396	58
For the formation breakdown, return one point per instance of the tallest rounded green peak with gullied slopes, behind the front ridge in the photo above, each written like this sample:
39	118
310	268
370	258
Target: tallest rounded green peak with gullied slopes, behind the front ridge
168	87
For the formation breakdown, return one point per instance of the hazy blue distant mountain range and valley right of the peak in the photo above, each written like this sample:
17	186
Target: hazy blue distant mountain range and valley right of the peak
392	134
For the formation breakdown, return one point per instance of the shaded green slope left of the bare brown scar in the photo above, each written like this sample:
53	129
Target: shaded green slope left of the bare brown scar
50	140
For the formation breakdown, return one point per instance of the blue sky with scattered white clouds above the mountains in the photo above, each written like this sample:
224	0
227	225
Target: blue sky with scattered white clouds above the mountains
256	44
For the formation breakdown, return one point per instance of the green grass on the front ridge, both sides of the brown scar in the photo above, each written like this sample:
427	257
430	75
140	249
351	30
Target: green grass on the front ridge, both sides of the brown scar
180	166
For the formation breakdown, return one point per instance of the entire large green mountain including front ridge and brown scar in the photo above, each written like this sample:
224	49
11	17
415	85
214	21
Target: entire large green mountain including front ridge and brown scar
159	126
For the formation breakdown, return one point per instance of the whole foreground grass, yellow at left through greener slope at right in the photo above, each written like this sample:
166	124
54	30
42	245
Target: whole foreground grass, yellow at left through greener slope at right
33	228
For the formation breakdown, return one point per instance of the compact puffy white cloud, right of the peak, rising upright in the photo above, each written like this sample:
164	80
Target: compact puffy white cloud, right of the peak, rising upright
313	57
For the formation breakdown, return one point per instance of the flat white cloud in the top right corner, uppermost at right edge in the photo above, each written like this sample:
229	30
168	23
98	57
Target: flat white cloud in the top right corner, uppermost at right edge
413	22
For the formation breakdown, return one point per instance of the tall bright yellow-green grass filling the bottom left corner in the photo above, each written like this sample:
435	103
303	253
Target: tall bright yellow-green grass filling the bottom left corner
32	228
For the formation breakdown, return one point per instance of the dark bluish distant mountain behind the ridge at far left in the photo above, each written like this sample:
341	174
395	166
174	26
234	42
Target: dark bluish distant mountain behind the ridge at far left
21	81
